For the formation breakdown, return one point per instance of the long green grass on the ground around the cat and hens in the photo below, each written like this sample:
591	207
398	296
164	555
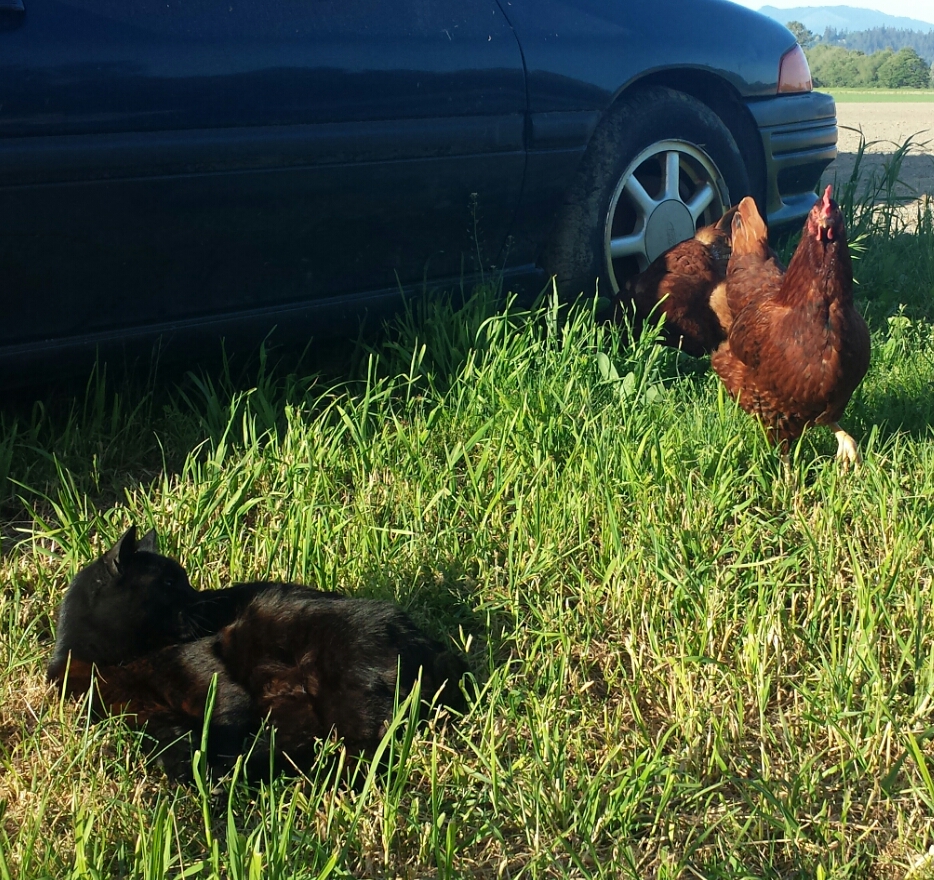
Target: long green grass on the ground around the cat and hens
686	663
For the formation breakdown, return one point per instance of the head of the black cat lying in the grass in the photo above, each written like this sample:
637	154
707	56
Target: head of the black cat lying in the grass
130	601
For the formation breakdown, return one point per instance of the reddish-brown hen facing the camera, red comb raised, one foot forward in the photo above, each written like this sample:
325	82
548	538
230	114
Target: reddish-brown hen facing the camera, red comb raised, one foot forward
796	348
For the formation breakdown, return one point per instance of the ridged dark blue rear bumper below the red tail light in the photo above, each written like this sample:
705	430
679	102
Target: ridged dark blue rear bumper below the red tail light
799	140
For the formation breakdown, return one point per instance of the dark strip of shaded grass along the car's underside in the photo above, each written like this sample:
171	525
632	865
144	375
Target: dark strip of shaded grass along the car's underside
121	424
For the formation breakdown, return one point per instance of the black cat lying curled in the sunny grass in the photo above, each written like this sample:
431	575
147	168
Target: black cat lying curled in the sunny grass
315	664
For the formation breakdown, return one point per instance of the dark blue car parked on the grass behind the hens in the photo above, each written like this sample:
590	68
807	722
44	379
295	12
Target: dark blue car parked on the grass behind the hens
197	169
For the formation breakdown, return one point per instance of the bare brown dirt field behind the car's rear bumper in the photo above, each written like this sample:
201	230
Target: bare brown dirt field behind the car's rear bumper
886	126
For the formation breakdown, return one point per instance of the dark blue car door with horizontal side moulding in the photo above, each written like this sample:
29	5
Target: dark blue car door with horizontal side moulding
165	161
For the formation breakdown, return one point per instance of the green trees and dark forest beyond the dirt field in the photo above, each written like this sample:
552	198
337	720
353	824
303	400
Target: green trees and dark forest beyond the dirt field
889	67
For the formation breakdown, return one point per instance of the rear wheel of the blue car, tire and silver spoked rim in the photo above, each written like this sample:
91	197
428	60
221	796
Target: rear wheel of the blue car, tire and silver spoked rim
659	165
